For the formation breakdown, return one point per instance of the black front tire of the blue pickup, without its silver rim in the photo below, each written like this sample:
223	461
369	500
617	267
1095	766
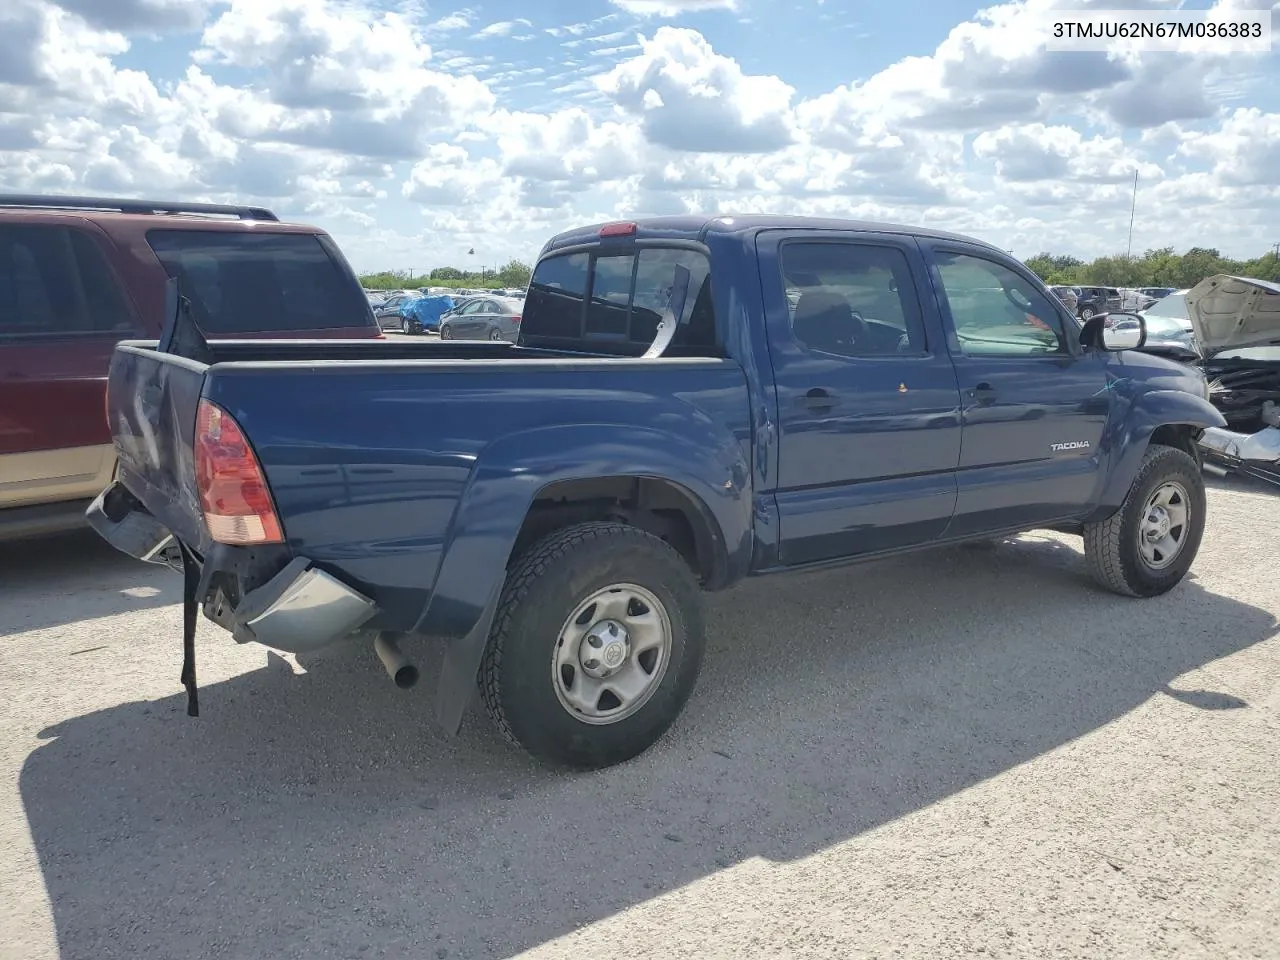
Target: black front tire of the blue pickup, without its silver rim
1112	546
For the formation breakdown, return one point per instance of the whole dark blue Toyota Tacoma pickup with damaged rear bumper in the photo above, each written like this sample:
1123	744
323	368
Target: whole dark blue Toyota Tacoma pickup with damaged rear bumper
692	401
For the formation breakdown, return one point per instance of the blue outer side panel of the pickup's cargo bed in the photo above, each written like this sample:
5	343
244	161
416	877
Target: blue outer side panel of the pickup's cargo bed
396	469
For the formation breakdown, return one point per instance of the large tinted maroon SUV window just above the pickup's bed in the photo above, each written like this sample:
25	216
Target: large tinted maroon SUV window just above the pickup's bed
260	282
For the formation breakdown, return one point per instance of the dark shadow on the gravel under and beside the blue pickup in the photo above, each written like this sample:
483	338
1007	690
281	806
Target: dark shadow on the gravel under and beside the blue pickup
322	815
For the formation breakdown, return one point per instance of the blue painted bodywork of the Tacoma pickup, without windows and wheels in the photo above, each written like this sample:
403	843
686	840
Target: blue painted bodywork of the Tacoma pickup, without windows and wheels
409	469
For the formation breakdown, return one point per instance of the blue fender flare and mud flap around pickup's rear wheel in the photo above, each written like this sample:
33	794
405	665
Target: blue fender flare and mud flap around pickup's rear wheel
700	456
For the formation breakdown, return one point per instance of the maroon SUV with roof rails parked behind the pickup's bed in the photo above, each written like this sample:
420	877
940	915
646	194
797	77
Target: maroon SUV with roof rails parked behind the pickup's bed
77	275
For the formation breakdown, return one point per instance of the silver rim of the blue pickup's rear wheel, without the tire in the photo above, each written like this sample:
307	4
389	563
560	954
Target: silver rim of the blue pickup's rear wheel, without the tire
612	655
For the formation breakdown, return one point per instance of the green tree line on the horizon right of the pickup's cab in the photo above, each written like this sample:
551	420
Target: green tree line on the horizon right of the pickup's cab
1156	268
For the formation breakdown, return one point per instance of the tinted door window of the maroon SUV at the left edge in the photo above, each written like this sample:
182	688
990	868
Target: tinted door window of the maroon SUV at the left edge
57	282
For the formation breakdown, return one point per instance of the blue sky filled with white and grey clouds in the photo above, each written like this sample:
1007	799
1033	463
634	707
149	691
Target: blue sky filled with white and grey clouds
417	131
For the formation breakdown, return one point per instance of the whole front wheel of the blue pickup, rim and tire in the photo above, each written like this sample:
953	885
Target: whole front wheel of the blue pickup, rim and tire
1146	547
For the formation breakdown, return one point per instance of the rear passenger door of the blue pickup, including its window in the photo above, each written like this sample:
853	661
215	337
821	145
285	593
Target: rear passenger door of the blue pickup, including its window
868	406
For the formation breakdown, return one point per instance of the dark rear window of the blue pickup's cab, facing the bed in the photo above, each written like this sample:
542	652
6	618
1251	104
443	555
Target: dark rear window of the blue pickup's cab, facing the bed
611	303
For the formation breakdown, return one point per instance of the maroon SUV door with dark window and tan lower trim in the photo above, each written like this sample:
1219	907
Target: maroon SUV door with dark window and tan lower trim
62	310
